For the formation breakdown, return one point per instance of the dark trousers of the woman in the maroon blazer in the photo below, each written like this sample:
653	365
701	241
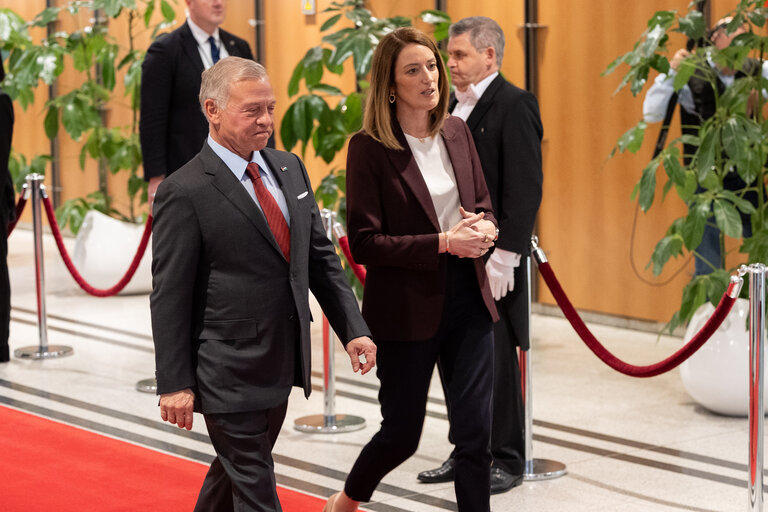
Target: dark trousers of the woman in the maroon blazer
463	348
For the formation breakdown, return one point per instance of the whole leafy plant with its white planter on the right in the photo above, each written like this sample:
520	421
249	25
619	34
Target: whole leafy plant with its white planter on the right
717	169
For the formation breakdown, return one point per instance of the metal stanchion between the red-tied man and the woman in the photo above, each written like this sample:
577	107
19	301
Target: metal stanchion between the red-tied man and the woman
329	422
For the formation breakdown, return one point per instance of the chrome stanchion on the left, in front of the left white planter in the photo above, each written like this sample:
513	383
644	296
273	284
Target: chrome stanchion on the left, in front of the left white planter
43	350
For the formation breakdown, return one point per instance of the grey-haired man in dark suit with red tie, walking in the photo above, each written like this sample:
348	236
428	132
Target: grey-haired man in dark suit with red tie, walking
237	244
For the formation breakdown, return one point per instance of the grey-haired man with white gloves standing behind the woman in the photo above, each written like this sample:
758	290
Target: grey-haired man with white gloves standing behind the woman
507	131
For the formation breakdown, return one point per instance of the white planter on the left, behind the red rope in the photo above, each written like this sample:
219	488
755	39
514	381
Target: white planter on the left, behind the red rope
104	249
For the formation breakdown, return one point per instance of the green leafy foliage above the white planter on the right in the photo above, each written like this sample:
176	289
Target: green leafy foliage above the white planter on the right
733	139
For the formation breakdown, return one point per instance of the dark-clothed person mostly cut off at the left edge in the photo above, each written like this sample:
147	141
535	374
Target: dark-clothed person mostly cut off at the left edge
7	214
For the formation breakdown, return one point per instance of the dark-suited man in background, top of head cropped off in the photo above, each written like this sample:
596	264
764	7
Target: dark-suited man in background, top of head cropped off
171	126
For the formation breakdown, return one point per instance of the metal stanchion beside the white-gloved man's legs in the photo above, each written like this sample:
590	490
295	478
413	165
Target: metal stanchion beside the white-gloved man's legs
535	469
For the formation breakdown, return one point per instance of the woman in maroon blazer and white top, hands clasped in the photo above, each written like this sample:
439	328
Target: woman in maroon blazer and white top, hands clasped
419	216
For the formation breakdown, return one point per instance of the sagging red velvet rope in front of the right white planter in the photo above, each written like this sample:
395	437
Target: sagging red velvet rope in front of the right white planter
722	310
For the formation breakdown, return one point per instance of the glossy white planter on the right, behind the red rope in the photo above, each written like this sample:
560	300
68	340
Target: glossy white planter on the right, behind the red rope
717	375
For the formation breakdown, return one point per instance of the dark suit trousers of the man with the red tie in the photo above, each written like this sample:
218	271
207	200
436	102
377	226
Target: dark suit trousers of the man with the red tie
242	476
